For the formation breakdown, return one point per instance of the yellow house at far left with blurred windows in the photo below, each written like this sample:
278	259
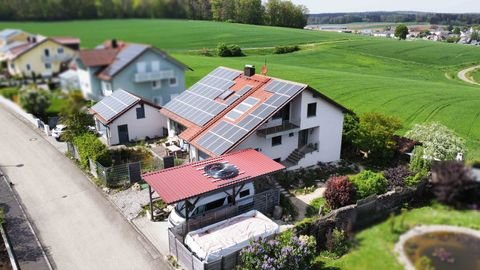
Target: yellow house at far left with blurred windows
41	56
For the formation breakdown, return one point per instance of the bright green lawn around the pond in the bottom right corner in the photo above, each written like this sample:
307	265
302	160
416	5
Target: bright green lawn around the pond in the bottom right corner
375	244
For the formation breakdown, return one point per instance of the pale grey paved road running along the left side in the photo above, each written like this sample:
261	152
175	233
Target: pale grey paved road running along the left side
78	226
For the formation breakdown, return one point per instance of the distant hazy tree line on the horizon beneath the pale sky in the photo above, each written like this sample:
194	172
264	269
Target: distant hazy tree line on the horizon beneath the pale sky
394	17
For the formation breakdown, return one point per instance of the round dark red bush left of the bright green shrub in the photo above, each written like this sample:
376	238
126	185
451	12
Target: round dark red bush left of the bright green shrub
339	192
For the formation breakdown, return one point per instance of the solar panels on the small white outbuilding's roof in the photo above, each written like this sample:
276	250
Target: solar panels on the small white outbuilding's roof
111	106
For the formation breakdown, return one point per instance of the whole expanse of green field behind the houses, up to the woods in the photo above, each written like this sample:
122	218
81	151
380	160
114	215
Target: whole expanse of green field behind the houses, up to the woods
414	80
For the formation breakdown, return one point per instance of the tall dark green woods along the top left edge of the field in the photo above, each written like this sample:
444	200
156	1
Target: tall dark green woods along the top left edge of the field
272	12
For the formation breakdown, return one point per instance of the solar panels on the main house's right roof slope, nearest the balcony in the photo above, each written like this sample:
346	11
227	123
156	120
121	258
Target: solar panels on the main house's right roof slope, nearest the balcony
224	135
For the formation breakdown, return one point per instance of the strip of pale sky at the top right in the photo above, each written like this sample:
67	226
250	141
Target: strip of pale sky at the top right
445	6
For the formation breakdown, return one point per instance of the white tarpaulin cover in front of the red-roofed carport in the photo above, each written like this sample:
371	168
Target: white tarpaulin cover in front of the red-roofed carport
223	238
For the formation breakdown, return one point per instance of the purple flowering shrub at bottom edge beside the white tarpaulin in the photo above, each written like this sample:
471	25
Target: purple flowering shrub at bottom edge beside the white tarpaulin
284	252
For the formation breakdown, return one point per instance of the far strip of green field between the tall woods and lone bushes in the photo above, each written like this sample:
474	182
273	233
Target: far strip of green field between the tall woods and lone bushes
174	34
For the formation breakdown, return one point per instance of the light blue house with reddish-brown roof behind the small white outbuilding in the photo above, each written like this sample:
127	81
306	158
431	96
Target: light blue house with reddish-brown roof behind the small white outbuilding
145	70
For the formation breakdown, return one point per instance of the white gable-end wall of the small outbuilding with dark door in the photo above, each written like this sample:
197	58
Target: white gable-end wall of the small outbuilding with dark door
151	126
